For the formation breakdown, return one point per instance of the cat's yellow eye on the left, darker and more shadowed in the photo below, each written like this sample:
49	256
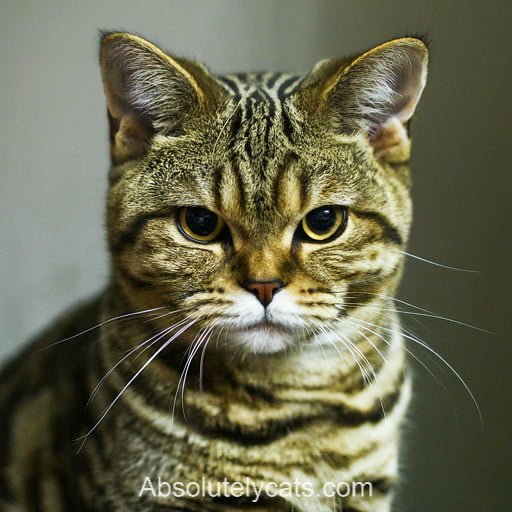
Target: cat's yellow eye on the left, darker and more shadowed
199	224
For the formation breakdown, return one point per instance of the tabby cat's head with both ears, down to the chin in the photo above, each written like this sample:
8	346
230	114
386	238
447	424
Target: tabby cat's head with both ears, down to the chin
267	206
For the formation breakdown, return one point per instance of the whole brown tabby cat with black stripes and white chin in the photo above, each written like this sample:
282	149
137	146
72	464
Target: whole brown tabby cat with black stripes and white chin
256	226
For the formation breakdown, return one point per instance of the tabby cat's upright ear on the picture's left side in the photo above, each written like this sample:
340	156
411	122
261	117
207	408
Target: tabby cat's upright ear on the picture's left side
149	92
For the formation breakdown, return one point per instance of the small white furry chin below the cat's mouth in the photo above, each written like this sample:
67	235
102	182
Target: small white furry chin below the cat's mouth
262	339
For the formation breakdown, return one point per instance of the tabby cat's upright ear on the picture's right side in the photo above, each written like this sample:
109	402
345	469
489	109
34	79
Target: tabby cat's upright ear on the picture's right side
375	93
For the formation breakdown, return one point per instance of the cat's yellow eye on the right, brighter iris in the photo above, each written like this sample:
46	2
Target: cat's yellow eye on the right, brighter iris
324	223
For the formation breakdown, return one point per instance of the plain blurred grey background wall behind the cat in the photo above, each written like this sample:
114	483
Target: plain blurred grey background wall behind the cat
54	157
